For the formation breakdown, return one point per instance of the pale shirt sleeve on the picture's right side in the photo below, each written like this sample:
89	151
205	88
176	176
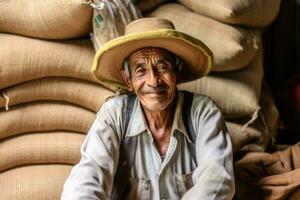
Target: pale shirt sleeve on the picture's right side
213	178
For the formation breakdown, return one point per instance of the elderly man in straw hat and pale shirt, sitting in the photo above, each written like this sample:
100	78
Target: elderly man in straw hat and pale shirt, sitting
164	144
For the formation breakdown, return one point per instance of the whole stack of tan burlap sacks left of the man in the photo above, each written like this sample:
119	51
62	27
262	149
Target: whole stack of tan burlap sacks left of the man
48	95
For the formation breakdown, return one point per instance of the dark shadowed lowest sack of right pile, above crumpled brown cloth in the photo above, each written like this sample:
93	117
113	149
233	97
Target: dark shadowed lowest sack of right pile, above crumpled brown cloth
261	131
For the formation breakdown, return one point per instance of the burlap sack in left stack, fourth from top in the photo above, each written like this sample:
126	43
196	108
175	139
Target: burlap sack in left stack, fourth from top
44	116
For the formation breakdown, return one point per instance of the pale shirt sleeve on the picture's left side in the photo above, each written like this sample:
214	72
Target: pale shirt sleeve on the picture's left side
92	177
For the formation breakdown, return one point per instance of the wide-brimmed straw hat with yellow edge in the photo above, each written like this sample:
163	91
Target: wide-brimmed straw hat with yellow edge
151	32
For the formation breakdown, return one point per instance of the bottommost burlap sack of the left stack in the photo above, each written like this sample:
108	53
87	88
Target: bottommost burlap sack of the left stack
34	182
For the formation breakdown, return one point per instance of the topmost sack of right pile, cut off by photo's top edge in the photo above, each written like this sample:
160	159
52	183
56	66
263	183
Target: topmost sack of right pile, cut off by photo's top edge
256	13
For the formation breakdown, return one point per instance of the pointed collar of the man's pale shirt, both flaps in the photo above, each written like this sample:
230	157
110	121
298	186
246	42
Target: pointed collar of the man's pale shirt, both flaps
138	123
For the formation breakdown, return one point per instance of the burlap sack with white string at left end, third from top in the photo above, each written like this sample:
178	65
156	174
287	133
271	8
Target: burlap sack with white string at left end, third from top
83	93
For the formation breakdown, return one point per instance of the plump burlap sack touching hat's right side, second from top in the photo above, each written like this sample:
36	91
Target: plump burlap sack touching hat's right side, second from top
233	47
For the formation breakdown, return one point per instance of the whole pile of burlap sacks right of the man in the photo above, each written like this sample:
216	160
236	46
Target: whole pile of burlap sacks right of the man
235	83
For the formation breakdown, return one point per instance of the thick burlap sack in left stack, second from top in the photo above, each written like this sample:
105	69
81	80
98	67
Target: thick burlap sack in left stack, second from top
23	59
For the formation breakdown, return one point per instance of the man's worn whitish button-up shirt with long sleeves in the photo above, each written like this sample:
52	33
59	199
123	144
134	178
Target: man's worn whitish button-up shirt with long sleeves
176	177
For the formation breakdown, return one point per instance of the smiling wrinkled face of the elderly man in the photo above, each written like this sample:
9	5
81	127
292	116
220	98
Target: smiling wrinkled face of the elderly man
153	77
